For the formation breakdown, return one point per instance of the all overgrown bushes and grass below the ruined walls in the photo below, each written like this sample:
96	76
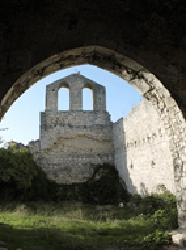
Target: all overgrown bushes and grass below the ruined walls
33	214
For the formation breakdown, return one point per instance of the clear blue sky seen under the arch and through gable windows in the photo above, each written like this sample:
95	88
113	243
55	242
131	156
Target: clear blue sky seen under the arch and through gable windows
22	118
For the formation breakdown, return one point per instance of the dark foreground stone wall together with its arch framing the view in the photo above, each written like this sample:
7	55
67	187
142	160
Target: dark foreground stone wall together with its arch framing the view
136	40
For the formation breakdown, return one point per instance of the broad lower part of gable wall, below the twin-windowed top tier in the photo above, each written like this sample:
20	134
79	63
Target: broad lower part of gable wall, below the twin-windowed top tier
72	140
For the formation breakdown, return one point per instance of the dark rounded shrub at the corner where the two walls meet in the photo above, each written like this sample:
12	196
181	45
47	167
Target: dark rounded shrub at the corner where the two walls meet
104	186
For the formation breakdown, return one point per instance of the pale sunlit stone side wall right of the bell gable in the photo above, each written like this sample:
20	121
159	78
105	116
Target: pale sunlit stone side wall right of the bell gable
142	154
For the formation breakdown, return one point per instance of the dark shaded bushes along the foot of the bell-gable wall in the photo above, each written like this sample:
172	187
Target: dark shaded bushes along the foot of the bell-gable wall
22	179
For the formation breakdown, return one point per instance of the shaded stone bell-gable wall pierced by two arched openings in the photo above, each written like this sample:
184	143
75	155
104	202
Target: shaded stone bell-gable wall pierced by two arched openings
71	140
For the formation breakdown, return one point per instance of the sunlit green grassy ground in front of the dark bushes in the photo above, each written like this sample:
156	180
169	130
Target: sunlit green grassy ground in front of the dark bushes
61	226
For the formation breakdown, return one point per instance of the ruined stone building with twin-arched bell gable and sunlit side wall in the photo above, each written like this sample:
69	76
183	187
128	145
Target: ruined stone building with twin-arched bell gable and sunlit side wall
70	140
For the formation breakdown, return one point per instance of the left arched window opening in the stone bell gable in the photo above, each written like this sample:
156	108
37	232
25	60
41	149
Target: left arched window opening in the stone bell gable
63	98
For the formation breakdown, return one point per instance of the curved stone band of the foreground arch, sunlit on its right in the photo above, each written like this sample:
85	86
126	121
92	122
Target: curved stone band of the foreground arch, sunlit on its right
141	79
